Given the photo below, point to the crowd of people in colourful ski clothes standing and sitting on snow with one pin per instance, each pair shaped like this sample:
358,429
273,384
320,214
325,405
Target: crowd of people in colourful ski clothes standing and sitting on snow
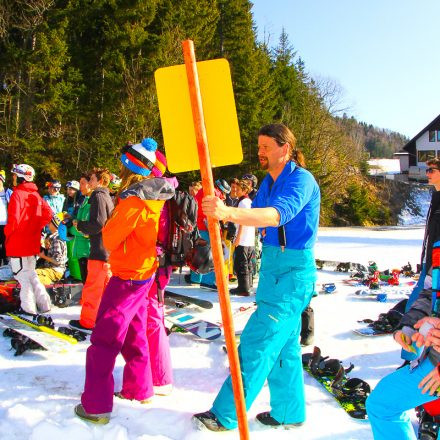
107,229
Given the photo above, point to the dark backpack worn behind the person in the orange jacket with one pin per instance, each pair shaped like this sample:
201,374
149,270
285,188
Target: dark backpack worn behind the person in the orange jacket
183,232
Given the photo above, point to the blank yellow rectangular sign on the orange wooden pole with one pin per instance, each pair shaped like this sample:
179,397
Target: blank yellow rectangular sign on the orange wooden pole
219,112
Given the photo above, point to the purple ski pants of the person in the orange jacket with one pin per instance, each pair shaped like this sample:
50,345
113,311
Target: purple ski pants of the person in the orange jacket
121,327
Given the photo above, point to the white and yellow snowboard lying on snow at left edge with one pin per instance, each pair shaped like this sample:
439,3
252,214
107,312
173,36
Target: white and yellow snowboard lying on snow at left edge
47,341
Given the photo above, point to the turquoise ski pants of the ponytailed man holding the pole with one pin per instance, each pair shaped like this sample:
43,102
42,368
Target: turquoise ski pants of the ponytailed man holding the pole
269,346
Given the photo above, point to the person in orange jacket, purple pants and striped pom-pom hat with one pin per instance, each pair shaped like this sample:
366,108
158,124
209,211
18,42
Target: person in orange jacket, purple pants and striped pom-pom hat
130,235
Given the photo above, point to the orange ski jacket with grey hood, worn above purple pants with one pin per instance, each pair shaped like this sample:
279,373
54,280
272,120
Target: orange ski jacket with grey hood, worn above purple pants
131,232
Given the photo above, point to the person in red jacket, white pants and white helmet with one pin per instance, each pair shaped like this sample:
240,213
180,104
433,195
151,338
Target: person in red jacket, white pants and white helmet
28,214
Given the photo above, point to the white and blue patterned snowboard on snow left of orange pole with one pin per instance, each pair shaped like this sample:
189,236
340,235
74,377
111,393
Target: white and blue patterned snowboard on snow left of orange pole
198,327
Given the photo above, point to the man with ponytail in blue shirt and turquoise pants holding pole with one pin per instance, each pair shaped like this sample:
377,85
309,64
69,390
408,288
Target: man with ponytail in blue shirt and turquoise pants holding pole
286,209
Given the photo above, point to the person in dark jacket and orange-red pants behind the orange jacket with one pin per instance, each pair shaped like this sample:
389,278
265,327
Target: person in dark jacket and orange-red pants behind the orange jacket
98,270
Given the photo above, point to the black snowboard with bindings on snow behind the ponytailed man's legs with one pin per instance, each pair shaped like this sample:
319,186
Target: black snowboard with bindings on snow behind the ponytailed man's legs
350,393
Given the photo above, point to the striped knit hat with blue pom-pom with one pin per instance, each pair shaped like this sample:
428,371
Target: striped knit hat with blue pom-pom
144,158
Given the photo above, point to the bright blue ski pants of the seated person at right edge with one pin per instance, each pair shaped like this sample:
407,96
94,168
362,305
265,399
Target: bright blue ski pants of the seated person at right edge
394,395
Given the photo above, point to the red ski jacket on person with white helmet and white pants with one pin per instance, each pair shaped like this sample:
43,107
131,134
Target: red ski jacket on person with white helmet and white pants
28,213
